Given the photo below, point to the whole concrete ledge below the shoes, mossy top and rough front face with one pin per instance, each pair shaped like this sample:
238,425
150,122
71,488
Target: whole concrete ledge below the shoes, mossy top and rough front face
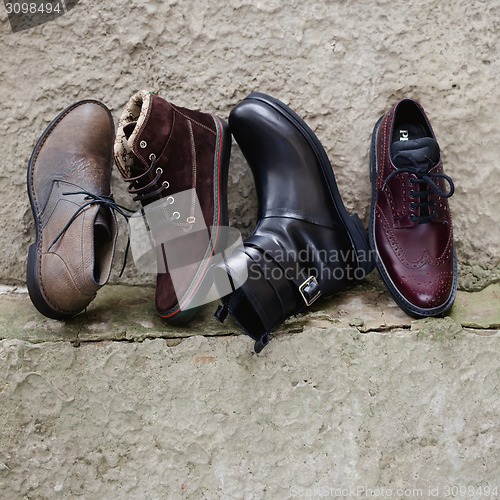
354,394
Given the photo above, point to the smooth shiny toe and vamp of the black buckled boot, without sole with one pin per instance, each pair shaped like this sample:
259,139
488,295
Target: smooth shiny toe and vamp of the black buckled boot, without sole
280,158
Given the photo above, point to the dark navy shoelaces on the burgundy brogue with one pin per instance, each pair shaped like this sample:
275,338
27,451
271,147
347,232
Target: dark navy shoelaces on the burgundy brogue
426,180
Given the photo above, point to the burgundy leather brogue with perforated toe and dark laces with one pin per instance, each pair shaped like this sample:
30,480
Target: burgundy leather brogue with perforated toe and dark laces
410,220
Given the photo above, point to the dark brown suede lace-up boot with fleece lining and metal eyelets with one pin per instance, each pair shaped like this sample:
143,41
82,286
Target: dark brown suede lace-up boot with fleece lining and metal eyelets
163,150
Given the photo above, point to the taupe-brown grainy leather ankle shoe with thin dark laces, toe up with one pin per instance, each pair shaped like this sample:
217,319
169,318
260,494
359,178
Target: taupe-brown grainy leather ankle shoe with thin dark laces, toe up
69,190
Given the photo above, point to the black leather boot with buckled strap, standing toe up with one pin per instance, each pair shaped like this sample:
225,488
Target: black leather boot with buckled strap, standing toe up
305,245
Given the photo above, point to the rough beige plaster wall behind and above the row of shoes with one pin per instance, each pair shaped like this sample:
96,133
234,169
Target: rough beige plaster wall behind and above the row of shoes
339,64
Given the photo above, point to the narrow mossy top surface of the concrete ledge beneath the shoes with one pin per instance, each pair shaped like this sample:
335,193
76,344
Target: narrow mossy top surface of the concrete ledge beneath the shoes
124,313
